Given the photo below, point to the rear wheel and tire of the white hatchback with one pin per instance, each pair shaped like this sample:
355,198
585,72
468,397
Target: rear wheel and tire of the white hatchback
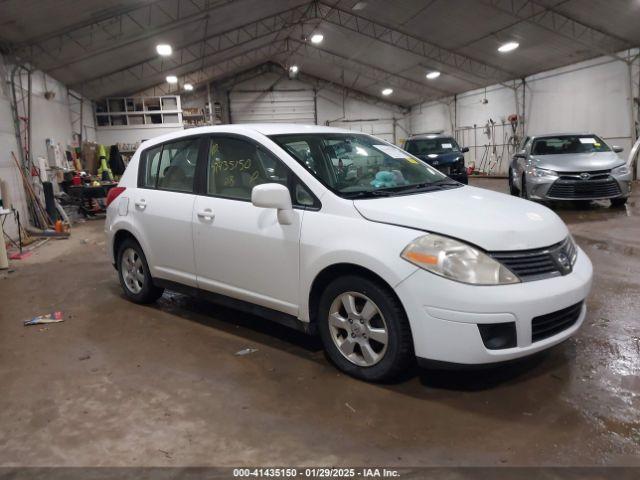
134,275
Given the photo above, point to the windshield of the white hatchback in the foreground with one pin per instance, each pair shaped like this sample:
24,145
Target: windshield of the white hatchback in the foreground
355,165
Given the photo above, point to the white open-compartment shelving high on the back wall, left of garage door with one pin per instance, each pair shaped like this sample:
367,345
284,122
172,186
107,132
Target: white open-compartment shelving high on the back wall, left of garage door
139,111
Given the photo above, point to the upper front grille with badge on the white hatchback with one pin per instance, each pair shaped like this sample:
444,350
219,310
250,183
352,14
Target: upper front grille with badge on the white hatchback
540,263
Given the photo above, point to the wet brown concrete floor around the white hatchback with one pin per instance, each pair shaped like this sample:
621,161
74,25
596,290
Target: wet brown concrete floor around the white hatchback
122,384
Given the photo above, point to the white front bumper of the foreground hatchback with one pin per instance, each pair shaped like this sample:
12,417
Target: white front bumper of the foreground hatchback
444,315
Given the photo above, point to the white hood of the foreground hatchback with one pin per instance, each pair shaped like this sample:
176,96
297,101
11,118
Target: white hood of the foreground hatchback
490,220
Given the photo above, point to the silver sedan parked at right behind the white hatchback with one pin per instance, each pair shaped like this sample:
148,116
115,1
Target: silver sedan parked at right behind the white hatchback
569,167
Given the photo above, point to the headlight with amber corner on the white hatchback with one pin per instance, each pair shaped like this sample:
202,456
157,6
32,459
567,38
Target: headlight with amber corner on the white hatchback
456,260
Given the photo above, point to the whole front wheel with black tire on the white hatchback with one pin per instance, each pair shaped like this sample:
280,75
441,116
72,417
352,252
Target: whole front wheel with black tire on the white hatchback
364,329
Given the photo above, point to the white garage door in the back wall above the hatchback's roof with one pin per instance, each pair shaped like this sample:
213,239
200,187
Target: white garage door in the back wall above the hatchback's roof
283,106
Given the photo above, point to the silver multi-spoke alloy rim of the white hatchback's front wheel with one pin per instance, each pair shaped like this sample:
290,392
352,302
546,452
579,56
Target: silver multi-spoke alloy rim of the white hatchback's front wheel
358,329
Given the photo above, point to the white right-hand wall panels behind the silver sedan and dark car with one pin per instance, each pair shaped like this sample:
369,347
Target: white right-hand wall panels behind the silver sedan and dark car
591,96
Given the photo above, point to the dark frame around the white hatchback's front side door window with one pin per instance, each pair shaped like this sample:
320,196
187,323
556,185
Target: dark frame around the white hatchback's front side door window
203,165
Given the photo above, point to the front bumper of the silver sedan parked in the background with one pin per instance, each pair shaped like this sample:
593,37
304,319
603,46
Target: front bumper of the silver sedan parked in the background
573,188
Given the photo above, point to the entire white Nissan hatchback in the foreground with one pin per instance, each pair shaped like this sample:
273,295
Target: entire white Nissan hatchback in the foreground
338,232
